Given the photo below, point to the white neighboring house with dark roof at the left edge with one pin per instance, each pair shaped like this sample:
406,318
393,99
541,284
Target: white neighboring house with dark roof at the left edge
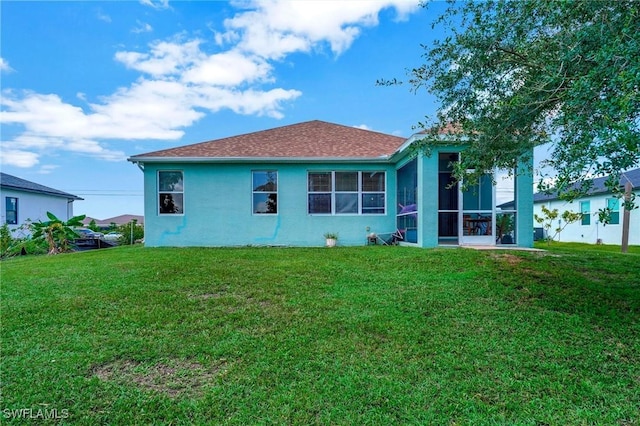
23,200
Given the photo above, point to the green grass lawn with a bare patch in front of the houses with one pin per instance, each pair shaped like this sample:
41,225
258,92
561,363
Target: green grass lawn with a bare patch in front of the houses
364,335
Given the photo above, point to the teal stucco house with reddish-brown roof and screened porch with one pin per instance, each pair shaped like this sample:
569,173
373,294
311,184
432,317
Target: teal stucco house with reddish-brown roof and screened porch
290,185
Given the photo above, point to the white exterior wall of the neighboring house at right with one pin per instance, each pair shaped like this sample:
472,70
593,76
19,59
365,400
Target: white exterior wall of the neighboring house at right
576,232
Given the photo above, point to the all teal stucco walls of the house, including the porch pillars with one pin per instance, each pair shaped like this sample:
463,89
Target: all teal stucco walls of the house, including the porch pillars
218,206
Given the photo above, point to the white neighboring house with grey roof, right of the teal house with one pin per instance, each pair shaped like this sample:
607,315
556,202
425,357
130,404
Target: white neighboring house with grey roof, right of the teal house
589,229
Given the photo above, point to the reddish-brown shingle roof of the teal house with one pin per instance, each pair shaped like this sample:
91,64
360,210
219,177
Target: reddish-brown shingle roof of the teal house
311,140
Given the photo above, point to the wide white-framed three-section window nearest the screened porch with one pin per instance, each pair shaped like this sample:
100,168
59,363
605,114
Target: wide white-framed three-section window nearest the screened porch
346,192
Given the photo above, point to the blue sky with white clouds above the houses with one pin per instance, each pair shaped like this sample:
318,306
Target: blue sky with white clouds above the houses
87,84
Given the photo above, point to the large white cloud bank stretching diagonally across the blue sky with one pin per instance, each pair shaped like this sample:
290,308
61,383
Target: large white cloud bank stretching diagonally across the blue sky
181,80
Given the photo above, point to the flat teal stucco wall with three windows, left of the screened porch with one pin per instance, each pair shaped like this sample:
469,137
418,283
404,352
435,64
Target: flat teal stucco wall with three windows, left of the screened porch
218,208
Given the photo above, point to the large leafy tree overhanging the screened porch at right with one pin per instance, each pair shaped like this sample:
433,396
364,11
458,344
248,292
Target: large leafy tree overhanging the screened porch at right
516,74
